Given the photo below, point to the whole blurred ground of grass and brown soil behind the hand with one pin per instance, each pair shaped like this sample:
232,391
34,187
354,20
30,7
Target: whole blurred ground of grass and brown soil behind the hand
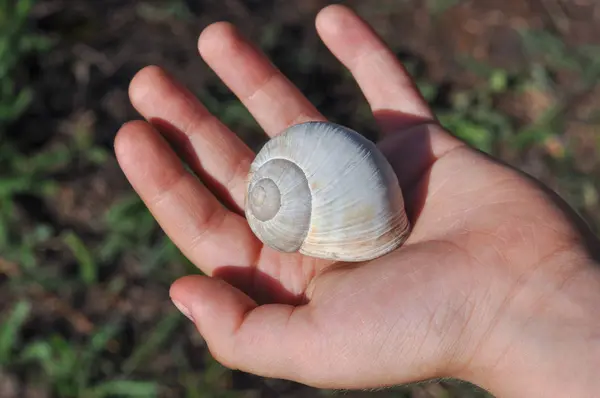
85,269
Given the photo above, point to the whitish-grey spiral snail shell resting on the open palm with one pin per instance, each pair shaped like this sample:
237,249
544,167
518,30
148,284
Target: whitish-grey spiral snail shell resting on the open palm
325,191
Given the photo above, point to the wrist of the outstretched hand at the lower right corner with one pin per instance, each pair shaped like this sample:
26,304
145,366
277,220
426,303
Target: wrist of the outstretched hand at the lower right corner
545,339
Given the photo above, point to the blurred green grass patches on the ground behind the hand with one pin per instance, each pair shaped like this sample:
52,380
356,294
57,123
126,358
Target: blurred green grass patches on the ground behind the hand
51,336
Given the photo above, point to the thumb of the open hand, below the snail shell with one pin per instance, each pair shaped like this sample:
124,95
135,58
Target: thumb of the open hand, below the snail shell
272,340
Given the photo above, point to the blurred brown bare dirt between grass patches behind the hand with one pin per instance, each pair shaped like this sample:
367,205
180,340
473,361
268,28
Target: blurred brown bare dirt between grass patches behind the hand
81,85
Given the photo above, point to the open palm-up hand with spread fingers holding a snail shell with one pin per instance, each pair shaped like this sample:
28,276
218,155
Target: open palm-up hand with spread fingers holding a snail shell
495,285
